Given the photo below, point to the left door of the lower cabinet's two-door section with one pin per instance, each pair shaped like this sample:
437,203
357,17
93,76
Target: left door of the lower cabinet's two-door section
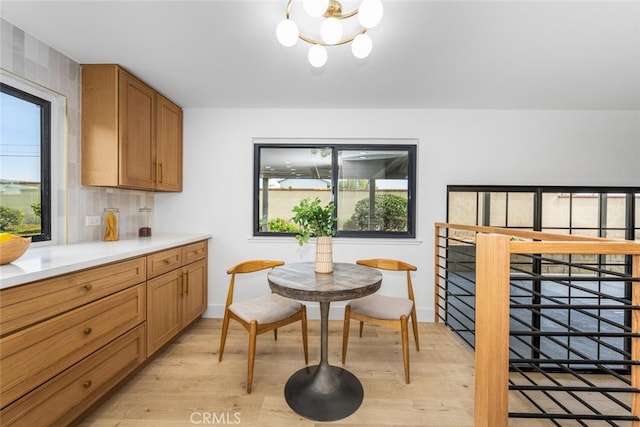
163,309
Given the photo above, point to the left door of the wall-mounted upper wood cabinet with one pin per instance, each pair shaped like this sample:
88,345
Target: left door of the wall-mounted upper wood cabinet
137,133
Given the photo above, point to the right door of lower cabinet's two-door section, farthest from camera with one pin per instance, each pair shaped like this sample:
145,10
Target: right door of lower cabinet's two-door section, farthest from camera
194,291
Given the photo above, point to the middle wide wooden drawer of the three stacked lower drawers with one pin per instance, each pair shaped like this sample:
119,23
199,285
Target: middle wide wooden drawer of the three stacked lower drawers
32,356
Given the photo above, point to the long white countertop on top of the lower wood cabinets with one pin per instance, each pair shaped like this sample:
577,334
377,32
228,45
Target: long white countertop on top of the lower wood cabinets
47,261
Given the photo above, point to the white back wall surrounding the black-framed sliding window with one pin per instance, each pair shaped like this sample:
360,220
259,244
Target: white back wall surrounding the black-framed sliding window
455,147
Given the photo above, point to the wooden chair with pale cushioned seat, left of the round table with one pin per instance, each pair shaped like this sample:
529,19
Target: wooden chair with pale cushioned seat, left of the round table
261,314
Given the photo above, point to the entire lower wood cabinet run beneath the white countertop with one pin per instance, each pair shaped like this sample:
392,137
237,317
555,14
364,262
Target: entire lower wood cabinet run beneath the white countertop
99,326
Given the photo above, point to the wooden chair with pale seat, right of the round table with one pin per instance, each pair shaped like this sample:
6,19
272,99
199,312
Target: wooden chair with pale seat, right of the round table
391,312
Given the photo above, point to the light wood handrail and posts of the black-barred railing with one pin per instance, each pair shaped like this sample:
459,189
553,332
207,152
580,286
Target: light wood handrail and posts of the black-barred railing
494,247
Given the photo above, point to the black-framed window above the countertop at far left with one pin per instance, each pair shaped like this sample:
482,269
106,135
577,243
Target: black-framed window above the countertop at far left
25,123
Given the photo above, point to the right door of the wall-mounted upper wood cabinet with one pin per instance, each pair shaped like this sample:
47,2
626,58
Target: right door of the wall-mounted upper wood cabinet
169,145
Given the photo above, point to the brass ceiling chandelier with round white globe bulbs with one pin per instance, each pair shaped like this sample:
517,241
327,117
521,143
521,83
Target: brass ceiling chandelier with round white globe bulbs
331,29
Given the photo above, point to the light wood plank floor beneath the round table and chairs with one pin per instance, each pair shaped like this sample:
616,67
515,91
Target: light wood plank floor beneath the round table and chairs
186,385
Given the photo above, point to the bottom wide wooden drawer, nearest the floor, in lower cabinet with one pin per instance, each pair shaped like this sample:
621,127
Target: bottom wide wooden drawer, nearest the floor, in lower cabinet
66,396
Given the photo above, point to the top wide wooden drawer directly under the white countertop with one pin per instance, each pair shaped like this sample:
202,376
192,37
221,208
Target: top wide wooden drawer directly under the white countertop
31,303
